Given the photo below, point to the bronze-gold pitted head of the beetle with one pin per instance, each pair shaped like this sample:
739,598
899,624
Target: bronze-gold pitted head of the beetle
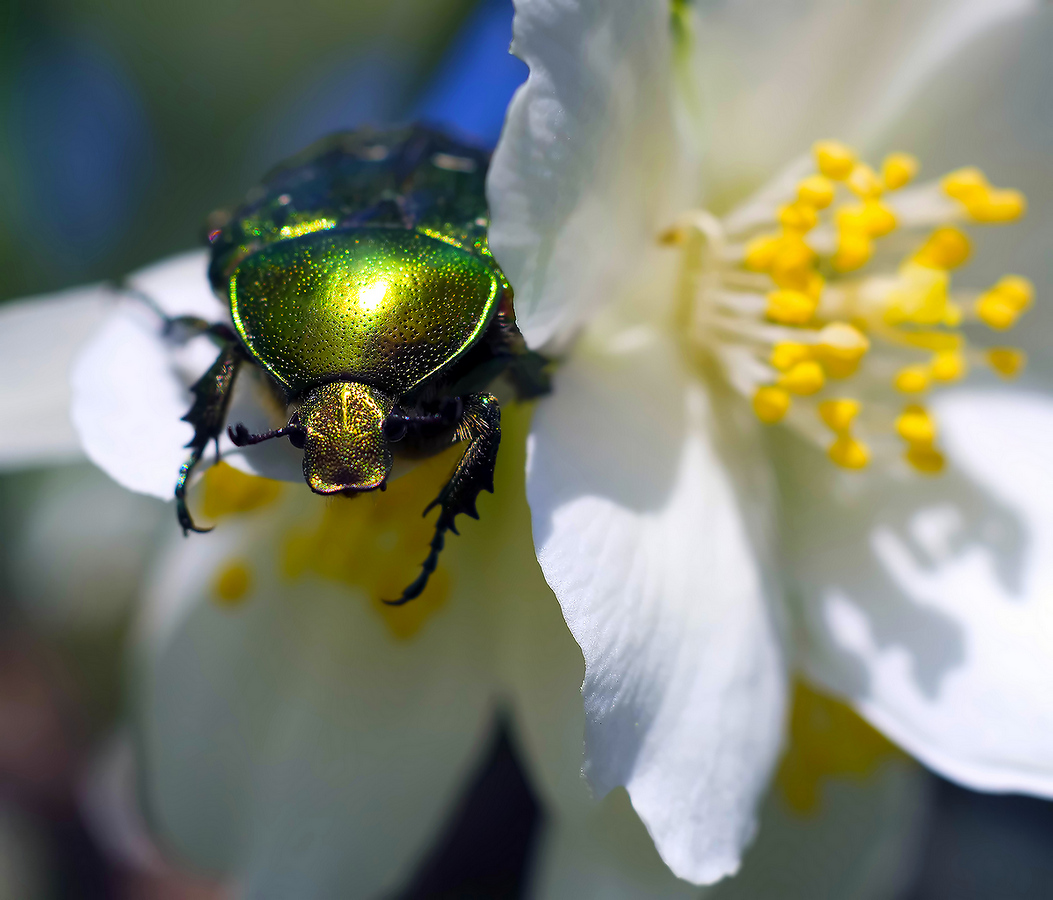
345,448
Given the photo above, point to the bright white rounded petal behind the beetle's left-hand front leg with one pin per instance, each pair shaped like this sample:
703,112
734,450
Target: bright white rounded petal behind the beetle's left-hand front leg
131,388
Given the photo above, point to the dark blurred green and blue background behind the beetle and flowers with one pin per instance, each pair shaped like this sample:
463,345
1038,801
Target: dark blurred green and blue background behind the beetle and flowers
123,125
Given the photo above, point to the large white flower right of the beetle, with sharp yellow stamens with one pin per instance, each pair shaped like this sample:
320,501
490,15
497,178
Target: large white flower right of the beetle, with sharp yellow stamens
658,209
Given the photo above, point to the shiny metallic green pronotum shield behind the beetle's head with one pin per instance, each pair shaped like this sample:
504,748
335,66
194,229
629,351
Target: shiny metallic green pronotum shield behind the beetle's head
384,306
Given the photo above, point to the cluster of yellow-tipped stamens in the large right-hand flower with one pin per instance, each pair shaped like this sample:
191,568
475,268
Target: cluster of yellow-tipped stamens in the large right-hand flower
827,301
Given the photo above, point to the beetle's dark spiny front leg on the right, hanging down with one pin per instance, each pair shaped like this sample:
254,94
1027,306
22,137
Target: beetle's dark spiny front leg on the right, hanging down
481,427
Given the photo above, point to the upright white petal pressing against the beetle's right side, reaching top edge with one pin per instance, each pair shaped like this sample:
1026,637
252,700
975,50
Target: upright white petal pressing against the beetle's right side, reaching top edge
592,164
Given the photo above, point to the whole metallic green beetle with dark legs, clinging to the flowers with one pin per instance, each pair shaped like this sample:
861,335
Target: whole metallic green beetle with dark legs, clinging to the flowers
360,281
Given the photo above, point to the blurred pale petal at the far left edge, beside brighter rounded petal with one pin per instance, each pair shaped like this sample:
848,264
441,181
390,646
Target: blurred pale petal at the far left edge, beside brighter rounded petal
39,338
